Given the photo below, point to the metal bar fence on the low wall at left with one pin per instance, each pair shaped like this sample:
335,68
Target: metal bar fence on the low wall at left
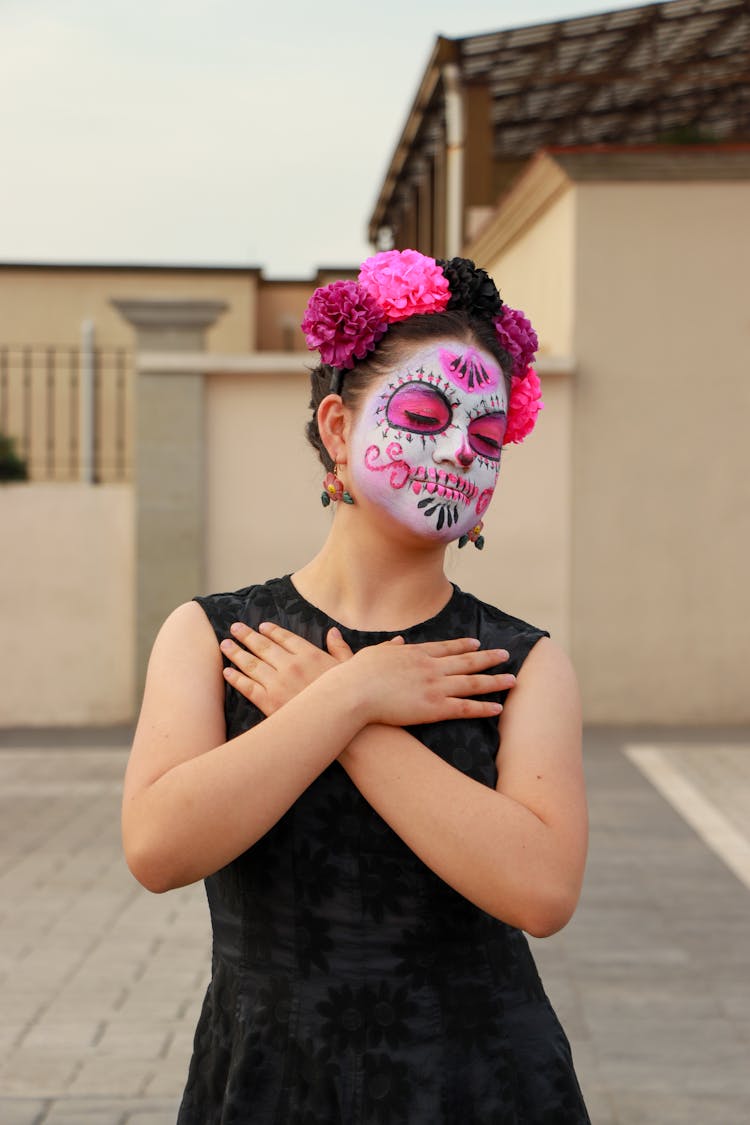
69,410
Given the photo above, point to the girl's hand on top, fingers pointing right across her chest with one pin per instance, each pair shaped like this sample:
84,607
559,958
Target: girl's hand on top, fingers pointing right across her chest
410,685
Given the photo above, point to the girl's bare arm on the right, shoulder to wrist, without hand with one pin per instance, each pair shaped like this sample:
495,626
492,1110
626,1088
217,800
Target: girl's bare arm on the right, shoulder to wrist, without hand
518,852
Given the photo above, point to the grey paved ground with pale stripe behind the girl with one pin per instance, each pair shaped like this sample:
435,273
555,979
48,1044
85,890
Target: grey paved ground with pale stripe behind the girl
102,983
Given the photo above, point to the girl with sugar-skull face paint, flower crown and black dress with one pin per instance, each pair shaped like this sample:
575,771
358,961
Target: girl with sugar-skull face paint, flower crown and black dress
378,776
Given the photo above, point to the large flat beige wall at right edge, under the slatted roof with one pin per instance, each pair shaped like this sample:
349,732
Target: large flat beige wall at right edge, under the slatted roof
662,482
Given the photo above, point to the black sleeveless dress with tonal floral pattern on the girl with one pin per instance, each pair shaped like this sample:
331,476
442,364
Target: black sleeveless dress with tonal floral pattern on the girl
350,985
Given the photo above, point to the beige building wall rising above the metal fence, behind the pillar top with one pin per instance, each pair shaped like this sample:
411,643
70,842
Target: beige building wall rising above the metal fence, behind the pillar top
41,307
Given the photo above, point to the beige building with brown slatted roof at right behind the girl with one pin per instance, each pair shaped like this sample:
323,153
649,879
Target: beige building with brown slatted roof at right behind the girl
556,156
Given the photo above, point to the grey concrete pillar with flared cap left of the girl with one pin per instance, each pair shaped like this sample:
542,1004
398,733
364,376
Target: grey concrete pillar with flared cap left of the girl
169,464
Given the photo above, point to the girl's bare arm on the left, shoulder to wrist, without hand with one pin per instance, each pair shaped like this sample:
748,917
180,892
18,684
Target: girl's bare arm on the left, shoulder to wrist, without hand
194,802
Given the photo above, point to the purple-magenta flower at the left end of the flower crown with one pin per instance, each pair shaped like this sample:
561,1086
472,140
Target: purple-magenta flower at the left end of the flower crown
344,323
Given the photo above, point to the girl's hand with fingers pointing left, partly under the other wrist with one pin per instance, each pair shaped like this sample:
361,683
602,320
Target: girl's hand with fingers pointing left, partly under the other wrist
274,664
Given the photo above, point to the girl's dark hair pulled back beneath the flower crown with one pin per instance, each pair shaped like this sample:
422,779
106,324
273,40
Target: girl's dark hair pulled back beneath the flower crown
403,337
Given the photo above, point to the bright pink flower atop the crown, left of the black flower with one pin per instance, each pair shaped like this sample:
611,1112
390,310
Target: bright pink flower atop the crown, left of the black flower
405,283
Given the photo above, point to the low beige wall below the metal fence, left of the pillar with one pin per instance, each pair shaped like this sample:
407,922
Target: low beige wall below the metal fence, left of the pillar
66,605
